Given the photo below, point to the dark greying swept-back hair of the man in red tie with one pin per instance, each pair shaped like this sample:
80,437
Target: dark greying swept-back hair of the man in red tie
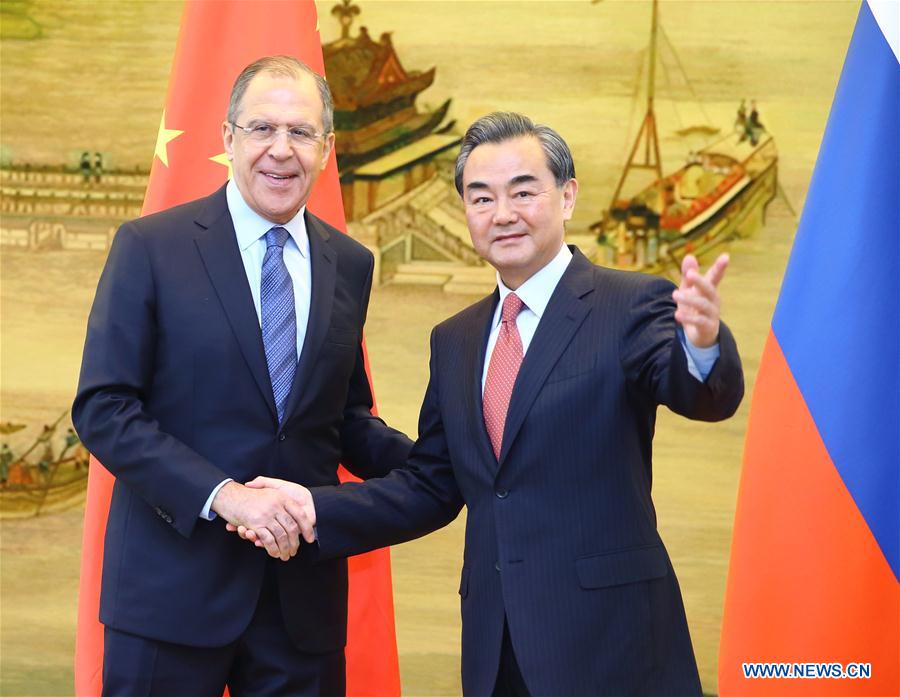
506,125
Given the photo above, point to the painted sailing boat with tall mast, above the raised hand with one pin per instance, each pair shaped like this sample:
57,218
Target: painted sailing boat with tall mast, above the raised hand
720,194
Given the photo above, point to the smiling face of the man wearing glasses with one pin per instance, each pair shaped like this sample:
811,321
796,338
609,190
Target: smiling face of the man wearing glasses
276,179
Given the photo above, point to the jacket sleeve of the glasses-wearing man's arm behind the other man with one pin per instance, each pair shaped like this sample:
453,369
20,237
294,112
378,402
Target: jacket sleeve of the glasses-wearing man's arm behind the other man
370,447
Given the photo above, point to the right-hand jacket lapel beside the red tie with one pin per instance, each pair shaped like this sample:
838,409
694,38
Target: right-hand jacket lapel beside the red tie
563,315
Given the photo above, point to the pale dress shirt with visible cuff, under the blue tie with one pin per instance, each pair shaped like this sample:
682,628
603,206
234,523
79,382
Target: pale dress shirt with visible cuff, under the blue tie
250,229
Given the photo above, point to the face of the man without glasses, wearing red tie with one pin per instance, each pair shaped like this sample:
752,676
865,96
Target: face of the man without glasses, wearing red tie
514,209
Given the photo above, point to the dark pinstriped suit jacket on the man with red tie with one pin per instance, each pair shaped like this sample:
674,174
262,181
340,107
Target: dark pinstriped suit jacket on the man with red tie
561,534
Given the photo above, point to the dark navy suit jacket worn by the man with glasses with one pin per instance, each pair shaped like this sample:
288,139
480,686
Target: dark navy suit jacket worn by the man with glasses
175,395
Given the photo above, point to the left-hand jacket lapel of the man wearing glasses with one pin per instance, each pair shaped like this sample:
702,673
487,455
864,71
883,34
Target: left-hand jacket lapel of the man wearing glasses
218,248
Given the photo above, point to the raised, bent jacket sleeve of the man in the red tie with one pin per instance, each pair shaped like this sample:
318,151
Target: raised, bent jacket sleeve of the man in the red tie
654,362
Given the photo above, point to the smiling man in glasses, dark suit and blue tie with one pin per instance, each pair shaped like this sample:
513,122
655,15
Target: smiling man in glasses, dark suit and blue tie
224,343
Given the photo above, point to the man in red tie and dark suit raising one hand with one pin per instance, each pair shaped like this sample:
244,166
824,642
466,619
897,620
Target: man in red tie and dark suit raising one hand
539,418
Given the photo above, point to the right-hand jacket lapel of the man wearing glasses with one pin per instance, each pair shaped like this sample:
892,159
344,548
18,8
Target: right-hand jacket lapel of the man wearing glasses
323,267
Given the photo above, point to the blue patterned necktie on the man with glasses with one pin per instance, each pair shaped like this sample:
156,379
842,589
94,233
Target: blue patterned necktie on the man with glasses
279,321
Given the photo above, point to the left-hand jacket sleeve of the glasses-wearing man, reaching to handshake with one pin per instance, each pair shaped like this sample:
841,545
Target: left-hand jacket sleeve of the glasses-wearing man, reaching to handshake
117,372
